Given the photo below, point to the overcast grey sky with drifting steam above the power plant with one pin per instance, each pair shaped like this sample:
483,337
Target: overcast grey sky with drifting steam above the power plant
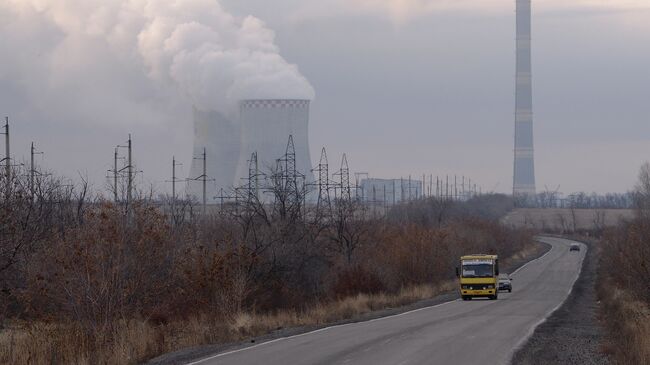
403,87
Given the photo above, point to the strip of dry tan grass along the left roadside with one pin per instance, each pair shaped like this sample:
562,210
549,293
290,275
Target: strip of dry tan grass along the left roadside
135,341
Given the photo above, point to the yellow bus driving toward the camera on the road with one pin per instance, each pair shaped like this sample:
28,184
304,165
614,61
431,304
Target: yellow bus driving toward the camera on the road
479,276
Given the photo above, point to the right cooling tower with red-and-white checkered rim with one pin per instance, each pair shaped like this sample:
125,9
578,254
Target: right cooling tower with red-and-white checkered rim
265,128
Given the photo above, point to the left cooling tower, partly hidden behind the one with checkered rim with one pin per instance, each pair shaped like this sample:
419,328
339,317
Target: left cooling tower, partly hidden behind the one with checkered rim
220,137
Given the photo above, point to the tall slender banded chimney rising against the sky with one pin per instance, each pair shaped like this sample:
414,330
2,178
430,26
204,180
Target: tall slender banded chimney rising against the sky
524,164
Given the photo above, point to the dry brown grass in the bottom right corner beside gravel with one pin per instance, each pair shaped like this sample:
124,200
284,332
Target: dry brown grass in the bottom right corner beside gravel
628,321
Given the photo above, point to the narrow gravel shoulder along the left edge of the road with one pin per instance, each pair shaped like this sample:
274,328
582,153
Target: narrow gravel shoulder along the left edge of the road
192,354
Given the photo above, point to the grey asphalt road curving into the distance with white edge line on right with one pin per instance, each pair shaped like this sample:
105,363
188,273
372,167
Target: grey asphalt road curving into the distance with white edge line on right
458,332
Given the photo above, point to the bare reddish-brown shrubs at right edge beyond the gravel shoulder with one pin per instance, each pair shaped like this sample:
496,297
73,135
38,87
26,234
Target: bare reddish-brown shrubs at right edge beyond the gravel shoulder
623,281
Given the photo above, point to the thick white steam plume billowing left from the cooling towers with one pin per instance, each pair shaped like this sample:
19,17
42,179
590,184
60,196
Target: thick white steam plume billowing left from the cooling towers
212,57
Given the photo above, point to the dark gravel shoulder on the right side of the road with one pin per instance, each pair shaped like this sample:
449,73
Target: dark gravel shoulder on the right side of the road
571,335
